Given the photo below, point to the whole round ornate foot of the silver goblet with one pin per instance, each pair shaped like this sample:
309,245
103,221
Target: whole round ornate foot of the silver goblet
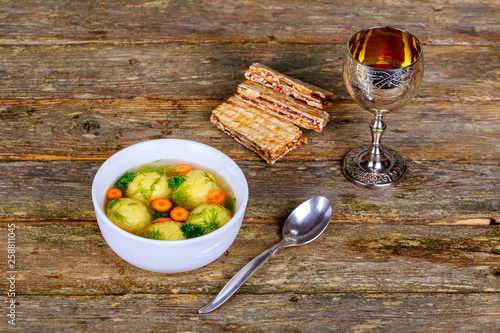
381,171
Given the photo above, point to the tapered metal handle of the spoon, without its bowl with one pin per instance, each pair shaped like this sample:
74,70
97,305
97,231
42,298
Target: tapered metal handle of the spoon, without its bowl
237,281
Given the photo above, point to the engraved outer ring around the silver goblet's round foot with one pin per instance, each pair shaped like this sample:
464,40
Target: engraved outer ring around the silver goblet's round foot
358,175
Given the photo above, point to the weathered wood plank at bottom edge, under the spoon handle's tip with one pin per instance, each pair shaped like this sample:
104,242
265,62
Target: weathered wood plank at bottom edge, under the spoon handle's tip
301,312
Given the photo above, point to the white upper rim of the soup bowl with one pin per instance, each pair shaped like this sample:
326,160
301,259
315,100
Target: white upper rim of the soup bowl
238,214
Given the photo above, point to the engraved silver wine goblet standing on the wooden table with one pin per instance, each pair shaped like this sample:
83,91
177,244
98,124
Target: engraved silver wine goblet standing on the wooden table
383,69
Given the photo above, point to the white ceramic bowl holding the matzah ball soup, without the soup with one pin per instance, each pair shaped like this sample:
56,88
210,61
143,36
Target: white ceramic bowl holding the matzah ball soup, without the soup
169,256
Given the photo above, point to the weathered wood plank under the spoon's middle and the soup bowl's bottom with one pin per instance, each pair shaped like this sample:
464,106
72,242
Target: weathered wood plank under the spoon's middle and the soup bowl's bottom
348,257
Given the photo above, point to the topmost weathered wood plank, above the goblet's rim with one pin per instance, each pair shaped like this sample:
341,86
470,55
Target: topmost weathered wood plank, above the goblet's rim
56,21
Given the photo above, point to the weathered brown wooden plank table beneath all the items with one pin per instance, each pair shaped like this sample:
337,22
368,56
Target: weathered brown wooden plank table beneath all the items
83,79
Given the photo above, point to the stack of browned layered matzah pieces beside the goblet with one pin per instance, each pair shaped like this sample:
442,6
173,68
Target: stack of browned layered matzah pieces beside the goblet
261,115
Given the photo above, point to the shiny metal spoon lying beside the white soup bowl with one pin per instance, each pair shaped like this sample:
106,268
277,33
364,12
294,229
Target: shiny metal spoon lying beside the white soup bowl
303,226
